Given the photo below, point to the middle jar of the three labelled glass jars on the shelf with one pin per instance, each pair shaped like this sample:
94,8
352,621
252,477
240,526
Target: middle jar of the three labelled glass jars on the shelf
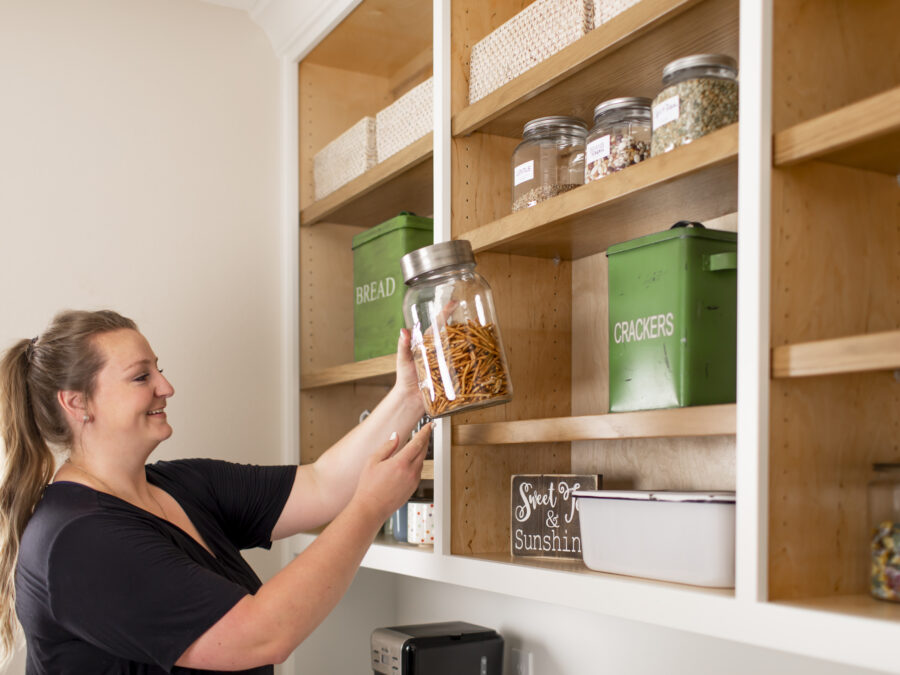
620,137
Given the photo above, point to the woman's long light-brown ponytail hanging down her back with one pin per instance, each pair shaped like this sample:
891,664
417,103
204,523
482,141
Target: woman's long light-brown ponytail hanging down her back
26,468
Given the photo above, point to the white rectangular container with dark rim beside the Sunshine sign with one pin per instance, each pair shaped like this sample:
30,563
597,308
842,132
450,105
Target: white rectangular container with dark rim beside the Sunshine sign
686,537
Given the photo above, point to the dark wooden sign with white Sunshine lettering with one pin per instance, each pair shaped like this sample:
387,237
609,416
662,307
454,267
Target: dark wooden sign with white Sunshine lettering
543,518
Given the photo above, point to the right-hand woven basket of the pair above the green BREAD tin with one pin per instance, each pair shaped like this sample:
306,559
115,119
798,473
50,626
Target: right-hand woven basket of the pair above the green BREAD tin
405,120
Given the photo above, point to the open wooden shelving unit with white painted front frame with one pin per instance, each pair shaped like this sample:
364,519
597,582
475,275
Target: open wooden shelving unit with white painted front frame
830,267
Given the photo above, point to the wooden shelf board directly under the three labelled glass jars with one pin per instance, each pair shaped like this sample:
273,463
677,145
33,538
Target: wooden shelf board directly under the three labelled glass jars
694,182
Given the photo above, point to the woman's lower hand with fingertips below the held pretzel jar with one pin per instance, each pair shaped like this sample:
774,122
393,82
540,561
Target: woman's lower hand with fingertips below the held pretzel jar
391,476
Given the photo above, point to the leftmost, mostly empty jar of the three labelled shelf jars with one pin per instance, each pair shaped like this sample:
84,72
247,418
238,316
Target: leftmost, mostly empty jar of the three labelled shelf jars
548,161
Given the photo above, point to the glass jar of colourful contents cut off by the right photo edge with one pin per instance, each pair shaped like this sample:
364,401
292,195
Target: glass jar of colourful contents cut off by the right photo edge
884,518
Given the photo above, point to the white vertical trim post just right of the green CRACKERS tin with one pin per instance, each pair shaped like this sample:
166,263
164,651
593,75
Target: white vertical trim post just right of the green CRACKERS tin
754,215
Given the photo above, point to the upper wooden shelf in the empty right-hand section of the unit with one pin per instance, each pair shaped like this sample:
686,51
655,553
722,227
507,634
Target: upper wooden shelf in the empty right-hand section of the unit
864,135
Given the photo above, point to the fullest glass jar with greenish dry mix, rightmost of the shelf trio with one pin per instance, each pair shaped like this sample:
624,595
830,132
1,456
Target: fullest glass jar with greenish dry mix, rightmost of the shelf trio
700,95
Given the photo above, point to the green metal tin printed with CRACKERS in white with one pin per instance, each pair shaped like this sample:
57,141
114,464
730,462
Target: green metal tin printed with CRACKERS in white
673,319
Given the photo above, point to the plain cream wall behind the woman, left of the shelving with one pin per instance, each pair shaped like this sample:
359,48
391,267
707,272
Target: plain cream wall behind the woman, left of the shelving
139,170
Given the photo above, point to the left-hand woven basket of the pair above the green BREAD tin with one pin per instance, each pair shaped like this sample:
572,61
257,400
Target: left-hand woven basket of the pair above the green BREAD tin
349,155
